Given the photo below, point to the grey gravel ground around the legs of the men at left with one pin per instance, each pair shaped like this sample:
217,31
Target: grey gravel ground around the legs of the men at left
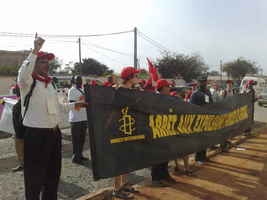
75,181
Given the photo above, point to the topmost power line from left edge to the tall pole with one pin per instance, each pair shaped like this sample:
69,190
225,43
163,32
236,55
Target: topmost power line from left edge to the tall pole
8,34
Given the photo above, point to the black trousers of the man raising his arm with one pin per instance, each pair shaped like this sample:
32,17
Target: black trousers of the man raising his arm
42,163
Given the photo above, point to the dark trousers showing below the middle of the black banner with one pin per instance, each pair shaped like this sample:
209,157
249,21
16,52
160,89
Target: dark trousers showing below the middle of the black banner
160,171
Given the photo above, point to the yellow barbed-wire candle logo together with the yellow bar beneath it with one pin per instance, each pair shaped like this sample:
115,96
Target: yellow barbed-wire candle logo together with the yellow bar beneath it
127,128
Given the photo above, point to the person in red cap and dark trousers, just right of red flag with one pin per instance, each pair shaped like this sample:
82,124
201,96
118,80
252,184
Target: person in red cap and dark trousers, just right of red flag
159,173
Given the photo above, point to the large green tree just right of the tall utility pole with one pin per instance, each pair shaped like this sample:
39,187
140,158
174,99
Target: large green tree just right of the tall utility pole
188,66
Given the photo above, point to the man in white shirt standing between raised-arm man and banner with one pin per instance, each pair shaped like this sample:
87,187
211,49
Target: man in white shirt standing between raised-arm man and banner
78,121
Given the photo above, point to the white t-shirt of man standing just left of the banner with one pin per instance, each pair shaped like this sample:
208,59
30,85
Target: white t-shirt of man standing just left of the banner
76,115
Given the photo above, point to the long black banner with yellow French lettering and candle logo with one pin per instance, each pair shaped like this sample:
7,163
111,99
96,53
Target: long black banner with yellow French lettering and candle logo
131,130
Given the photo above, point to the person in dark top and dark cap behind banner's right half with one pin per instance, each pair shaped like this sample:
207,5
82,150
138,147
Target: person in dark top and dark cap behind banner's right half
201,97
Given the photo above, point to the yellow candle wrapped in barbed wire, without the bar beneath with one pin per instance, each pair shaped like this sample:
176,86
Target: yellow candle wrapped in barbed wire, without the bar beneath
127,122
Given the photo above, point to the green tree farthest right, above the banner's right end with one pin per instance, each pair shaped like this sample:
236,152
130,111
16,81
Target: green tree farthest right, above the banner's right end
240,67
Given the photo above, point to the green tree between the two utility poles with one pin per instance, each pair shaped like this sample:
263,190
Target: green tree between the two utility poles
90,66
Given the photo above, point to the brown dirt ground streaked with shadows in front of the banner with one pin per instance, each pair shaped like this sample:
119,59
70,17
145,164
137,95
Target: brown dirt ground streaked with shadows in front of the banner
236,175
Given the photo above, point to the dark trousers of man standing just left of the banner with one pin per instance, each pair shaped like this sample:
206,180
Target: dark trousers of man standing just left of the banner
78,133
